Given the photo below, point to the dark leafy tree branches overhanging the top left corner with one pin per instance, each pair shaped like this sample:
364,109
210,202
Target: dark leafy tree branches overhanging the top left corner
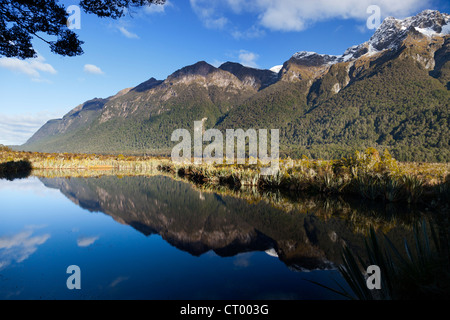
21,20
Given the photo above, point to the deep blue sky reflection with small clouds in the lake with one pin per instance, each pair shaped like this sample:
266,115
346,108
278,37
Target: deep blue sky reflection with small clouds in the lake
42,233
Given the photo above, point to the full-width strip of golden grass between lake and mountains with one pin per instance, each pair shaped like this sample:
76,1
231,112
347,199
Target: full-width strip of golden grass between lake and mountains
367,174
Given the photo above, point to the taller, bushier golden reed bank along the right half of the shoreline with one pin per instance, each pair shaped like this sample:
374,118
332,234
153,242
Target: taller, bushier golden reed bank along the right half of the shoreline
366,174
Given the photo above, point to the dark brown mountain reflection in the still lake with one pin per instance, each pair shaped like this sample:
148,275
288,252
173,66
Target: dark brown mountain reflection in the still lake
198,222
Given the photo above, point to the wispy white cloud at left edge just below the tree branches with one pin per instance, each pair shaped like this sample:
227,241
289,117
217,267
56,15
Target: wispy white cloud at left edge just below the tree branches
31,67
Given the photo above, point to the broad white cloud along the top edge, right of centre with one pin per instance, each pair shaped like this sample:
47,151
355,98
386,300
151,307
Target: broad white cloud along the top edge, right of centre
297,15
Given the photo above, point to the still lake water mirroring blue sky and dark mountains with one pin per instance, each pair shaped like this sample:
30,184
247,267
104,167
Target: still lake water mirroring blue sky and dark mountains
160,238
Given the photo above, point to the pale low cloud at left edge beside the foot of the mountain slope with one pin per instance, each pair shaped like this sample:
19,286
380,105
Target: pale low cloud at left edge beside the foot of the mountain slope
17,129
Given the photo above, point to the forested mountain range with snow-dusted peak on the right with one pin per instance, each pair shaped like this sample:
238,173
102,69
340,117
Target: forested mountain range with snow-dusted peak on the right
391,92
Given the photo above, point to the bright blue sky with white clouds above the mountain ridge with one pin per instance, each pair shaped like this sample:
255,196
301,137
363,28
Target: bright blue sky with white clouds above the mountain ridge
155,41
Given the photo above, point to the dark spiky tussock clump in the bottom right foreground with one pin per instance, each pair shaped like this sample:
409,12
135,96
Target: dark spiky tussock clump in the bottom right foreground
419,271
